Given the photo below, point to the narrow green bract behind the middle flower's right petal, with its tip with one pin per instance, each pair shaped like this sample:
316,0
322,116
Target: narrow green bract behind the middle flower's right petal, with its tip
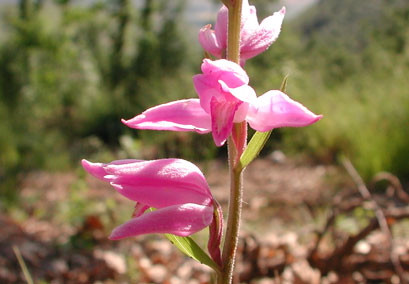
258,140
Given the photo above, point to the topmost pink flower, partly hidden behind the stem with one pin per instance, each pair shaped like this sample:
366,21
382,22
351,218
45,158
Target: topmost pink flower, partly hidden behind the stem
254,37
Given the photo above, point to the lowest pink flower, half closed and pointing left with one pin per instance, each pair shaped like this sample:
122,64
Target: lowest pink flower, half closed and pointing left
176,188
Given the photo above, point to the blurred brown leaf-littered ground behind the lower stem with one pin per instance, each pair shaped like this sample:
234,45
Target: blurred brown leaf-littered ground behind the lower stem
61,230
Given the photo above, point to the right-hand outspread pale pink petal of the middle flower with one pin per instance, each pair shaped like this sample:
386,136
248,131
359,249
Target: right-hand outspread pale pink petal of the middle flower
275,109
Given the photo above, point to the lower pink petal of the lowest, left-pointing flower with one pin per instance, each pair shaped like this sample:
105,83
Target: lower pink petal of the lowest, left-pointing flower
181,220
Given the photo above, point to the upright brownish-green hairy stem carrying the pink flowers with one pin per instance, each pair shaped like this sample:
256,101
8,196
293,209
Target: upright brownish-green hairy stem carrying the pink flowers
236,193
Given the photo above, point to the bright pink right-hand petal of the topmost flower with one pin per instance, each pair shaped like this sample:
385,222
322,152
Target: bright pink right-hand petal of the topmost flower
256,41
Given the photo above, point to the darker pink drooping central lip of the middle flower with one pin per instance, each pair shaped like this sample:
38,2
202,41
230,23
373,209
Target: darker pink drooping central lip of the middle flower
222,119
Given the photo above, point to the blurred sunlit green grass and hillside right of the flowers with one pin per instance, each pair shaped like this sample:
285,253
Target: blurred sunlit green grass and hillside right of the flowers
350,62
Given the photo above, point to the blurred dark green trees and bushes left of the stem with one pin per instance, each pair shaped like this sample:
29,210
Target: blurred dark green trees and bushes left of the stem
69,73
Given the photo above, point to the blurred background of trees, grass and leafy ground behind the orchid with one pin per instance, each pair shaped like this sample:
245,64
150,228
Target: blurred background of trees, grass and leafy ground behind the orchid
70,70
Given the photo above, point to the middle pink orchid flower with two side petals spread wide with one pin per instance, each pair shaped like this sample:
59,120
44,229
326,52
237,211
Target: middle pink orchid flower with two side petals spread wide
225,99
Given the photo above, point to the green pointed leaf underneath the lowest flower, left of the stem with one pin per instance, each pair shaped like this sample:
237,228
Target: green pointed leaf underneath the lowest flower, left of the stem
189,247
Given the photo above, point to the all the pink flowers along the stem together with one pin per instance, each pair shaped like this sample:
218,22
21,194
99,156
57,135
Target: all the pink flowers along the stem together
175,188
